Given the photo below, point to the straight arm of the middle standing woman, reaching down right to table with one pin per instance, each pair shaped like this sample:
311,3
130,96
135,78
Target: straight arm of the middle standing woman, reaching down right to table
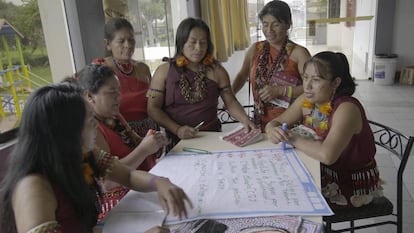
230,101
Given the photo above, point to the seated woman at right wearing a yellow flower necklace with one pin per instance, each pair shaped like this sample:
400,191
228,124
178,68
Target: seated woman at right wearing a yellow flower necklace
335,131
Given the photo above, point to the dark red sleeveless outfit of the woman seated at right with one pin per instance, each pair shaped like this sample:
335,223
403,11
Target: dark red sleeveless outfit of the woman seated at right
355,172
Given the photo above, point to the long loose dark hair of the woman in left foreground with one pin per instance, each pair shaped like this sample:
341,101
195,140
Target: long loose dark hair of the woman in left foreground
50,144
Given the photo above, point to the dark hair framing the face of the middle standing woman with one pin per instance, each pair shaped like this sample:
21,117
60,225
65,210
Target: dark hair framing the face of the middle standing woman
183,32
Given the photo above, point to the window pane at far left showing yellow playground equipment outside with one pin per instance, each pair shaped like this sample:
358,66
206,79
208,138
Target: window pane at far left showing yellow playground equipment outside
24,64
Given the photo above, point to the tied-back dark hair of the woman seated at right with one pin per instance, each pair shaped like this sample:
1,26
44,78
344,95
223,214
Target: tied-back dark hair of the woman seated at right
331,65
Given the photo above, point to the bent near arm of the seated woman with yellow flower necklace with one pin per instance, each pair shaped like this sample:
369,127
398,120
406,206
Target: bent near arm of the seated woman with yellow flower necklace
346,122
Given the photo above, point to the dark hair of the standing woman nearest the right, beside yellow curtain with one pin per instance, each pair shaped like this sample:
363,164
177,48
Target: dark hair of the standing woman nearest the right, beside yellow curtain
278,9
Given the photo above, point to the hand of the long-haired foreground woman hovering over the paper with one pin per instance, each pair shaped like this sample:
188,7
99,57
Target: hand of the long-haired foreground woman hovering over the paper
172,197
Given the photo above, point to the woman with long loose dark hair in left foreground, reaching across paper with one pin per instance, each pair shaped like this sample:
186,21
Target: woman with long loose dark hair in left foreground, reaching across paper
51,181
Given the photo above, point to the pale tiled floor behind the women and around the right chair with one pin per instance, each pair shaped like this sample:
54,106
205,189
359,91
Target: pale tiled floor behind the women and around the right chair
390,105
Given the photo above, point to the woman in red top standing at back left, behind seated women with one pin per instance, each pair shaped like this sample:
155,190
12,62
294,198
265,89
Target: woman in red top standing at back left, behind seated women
134,78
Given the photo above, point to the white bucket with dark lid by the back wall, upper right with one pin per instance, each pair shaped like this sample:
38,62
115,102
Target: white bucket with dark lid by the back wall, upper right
384,69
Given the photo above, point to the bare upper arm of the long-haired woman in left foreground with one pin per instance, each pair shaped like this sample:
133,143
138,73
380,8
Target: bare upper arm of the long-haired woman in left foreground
34,203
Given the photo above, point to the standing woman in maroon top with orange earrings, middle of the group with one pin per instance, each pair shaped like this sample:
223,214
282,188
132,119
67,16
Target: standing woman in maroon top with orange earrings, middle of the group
185,90
